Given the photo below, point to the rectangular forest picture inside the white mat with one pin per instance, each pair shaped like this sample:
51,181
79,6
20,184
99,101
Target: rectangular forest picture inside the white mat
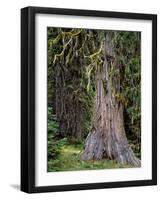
94,99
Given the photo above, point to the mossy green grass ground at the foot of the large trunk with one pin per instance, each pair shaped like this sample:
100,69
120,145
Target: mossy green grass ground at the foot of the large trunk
69,160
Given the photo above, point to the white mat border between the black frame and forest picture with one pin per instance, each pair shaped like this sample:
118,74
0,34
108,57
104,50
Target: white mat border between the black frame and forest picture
58,178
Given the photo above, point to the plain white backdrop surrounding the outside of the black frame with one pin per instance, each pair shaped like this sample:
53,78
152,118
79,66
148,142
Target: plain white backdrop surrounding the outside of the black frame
10,99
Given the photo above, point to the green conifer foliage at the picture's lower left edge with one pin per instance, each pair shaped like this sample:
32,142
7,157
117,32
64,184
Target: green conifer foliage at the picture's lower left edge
54,143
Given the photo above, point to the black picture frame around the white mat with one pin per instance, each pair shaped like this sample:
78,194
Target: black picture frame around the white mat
28,98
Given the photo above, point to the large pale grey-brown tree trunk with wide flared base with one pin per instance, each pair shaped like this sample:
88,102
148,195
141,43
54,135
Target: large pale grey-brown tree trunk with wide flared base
107,138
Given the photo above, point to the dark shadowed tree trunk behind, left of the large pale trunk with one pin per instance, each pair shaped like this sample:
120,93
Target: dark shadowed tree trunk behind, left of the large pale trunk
67,107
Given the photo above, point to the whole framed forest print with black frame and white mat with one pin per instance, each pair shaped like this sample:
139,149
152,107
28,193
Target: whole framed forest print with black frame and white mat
88,99
